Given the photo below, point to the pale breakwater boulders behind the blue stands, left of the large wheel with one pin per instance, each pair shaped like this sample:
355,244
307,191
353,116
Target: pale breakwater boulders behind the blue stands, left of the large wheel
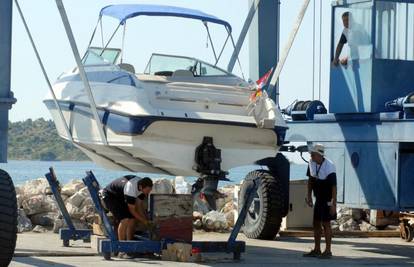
38,210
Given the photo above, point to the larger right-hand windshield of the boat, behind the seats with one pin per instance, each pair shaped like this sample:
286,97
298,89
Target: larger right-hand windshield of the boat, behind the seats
166,65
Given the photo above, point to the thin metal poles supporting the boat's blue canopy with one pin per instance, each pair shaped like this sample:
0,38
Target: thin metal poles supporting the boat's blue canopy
217,53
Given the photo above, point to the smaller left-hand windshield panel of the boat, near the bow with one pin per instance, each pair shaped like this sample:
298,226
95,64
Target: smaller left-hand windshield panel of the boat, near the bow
93,56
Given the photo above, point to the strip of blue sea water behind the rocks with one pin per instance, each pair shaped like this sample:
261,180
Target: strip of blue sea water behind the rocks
22,171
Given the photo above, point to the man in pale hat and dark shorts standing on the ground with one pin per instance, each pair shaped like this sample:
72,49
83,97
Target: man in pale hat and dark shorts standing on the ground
322,182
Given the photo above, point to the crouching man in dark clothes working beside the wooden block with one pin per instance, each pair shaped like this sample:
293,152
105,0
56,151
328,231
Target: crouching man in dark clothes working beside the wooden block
126,198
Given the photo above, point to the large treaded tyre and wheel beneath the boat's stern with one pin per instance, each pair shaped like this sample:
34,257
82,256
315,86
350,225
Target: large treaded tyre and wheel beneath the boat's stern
265,215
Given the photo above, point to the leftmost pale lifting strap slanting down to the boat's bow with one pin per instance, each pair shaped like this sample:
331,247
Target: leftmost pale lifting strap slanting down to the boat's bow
69,134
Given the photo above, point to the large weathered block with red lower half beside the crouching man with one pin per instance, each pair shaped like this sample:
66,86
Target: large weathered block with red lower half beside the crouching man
173,215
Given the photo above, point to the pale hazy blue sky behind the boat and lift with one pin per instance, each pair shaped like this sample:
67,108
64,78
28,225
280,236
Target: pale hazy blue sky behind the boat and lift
166,35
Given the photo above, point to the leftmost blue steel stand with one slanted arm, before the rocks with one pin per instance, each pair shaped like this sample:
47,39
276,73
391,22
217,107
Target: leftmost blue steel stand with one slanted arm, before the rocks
70,233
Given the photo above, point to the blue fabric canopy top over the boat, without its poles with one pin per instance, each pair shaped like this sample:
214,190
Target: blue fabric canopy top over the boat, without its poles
125,12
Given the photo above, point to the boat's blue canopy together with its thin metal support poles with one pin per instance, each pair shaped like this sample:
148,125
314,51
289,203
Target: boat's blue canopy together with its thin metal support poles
125,12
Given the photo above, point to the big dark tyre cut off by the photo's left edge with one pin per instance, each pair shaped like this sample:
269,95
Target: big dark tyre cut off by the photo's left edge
8,218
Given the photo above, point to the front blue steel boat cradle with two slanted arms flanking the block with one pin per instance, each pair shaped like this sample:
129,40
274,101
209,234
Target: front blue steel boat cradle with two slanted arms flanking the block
112,245
